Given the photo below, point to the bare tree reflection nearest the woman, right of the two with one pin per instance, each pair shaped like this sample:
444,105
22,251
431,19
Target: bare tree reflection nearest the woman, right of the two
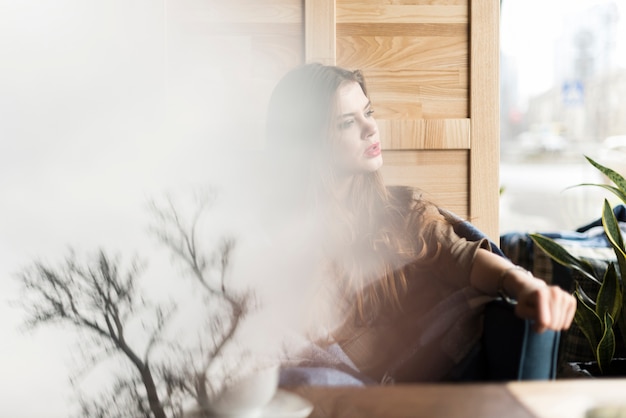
227,307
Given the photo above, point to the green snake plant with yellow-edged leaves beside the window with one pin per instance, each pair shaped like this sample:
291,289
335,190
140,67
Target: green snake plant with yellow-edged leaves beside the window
599,317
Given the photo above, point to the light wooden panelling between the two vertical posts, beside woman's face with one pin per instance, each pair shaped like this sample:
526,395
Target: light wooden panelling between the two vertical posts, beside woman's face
415,56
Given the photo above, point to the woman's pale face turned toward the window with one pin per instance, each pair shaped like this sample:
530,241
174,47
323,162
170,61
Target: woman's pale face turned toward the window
357,145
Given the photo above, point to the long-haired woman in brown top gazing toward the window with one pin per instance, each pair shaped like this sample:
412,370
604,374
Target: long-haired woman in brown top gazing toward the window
411,290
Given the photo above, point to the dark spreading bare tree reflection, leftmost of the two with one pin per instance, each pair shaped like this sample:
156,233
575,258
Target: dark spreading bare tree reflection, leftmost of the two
98,297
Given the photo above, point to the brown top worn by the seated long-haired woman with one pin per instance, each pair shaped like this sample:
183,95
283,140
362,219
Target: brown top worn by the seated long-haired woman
439,321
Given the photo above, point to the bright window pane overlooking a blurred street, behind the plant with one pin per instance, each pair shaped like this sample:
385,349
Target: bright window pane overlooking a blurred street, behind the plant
563,96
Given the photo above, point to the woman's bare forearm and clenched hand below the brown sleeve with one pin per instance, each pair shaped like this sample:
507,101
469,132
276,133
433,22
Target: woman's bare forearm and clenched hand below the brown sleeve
549,306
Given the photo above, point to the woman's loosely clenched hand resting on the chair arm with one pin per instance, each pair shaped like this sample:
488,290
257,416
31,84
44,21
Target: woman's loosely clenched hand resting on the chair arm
549,307
